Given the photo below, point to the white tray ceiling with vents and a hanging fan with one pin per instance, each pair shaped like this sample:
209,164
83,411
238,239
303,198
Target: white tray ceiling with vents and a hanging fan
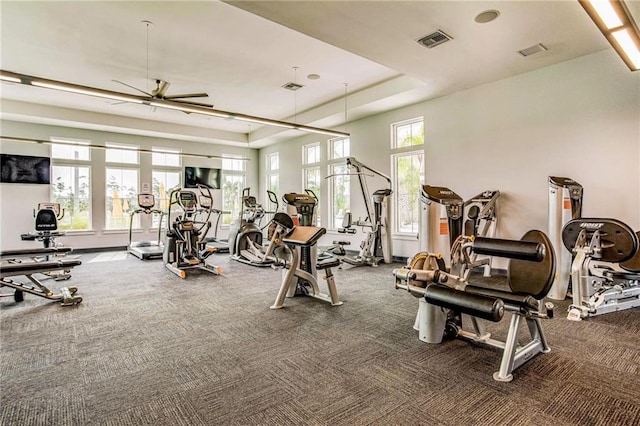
241,53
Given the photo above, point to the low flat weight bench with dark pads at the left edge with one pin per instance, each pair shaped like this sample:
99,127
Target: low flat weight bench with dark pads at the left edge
26,263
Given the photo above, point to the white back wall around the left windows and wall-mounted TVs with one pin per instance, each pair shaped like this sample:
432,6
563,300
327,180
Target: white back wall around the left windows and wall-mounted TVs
17,201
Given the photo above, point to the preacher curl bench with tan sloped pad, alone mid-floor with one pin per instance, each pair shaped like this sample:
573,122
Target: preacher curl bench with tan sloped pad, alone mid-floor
299,240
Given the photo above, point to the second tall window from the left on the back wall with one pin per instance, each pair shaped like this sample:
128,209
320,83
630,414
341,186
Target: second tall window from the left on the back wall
121,187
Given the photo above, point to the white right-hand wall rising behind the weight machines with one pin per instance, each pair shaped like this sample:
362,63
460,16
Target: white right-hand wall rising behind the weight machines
579,119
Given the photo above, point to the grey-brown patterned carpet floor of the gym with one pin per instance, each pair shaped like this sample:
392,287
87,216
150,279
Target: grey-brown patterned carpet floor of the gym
147,348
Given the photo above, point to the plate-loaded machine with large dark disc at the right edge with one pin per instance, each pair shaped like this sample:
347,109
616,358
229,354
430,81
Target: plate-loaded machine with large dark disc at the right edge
605,273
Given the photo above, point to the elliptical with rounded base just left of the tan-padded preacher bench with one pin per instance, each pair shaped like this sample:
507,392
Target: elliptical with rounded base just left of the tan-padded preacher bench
245,233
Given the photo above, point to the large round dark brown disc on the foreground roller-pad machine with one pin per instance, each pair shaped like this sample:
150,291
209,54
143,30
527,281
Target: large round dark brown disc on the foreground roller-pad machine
533,278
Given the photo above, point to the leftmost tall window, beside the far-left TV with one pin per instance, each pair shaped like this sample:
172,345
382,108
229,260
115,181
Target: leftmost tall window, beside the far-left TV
71,183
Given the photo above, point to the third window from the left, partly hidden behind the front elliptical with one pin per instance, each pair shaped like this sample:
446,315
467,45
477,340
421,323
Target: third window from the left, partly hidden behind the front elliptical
165,177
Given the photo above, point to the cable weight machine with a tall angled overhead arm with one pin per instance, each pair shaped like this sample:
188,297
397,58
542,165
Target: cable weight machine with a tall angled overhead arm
377,246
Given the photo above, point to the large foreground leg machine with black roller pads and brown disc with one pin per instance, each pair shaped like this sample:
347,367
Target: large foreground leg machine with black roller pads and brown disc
447,297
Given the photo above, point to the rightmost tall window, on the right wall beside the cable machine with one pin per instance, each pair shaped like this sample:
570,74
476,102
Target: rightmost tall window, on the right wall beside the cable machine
408,171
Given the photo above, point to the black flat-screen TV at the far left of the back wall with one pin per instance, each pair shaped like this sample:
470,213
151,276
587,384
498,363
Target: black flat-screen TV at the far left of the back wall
25,169
